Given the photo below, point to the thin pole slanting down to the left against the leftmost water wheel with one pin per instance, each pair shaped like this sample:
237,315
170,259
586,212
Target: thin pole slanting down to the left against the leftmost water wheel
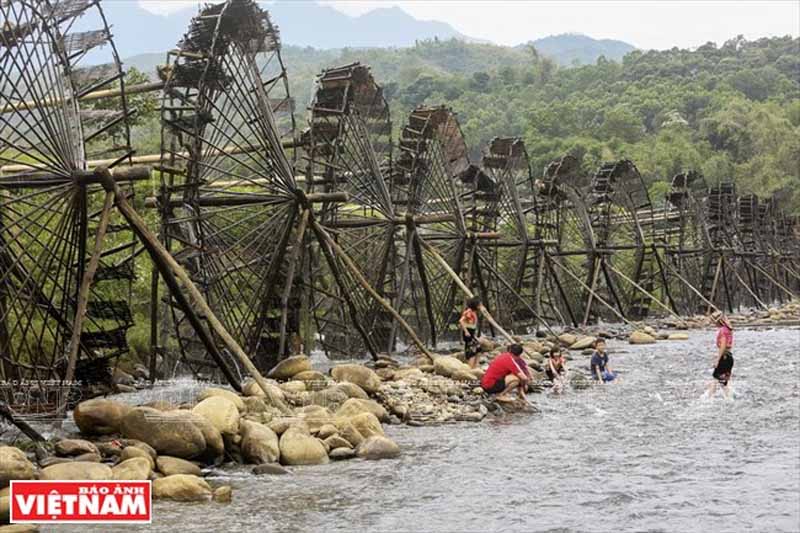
83,298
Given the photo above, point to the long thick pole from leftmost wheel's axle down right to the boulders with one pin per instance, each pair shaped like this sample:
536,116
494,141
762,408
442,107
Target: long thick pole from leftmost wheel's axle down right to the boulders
156,249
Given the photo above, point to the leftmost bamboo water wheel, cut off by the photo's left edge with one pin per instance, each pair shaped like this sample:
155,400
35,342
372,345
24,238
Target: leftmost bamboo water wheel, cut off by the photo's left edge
62,102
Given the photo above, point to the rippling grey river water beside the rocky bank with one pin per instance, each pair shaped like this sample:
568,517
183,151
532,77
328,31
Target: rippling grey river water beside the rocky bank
646,453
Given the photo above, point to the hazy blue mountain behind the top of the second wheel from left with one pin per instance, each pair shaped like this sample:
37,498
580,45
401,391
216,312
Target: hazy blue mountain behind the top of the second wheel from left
138,31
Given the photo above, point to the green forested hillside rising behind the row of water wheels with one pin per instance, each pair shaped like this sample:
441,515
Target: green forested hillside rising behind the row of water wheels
731,110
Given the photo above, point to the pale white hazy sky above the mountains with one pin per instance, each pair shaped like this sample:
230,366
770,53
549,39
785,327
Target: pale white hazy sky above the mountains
643,23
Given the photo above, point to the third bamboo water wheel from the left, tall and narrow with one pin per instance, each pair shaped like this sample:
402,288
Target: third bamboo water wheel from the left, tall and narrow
349,149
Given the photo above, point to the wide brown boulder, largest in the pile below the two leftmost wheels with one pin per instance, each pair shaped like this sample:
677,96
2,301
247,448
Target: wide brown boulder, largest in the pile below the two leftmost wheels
169,433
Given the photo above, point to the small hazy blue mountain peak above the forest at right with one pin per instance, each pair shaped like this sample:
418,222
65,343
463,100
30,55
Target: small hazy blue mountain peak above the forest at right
570,49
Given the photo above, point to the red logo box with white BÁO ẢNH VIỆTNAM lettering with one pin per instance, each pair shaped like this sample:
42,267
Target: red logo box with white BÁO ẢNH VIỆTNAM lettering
81,502
